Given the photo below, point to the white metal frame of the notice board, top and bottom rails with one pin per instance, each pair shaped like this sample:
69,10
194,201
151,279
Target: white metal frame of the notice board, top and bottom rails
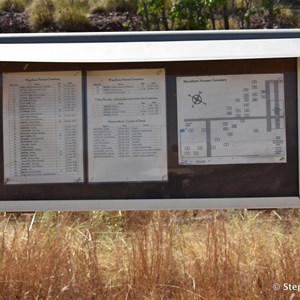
147,47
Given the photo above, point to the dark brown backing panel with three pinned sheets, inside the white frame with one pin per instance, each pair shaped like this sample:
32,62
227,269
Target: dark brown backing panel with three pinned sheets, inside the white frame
125,127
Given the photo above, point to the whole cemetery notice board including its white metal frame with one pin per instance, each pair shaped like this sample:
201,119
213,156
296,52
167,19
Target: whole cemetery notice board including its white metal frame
168,120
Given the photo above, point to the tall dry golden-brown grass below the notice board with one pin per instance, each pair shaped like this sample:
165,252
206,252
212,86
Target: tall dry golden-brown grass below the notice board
149,255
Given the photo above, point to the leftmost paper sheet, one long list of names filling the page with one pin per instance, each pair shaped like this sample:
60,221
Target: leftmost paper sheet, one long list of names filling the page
42,122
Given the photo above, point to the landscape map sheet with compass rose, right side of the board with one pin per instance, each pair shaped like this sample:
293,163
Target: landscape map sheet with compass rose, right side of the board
231,119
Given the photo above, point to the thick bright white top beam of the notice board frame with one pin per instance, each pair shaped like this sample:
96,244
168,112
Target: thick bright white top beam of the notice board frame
147,47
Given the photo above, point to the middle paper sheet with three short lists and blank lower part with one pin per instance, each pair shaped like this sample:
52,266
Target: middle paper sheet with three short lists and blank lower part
127,125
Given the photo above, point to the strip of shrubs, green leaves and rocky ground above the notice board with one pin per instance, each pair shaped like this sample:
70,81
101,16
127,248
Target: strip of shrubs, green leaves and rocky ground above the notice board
126,15
